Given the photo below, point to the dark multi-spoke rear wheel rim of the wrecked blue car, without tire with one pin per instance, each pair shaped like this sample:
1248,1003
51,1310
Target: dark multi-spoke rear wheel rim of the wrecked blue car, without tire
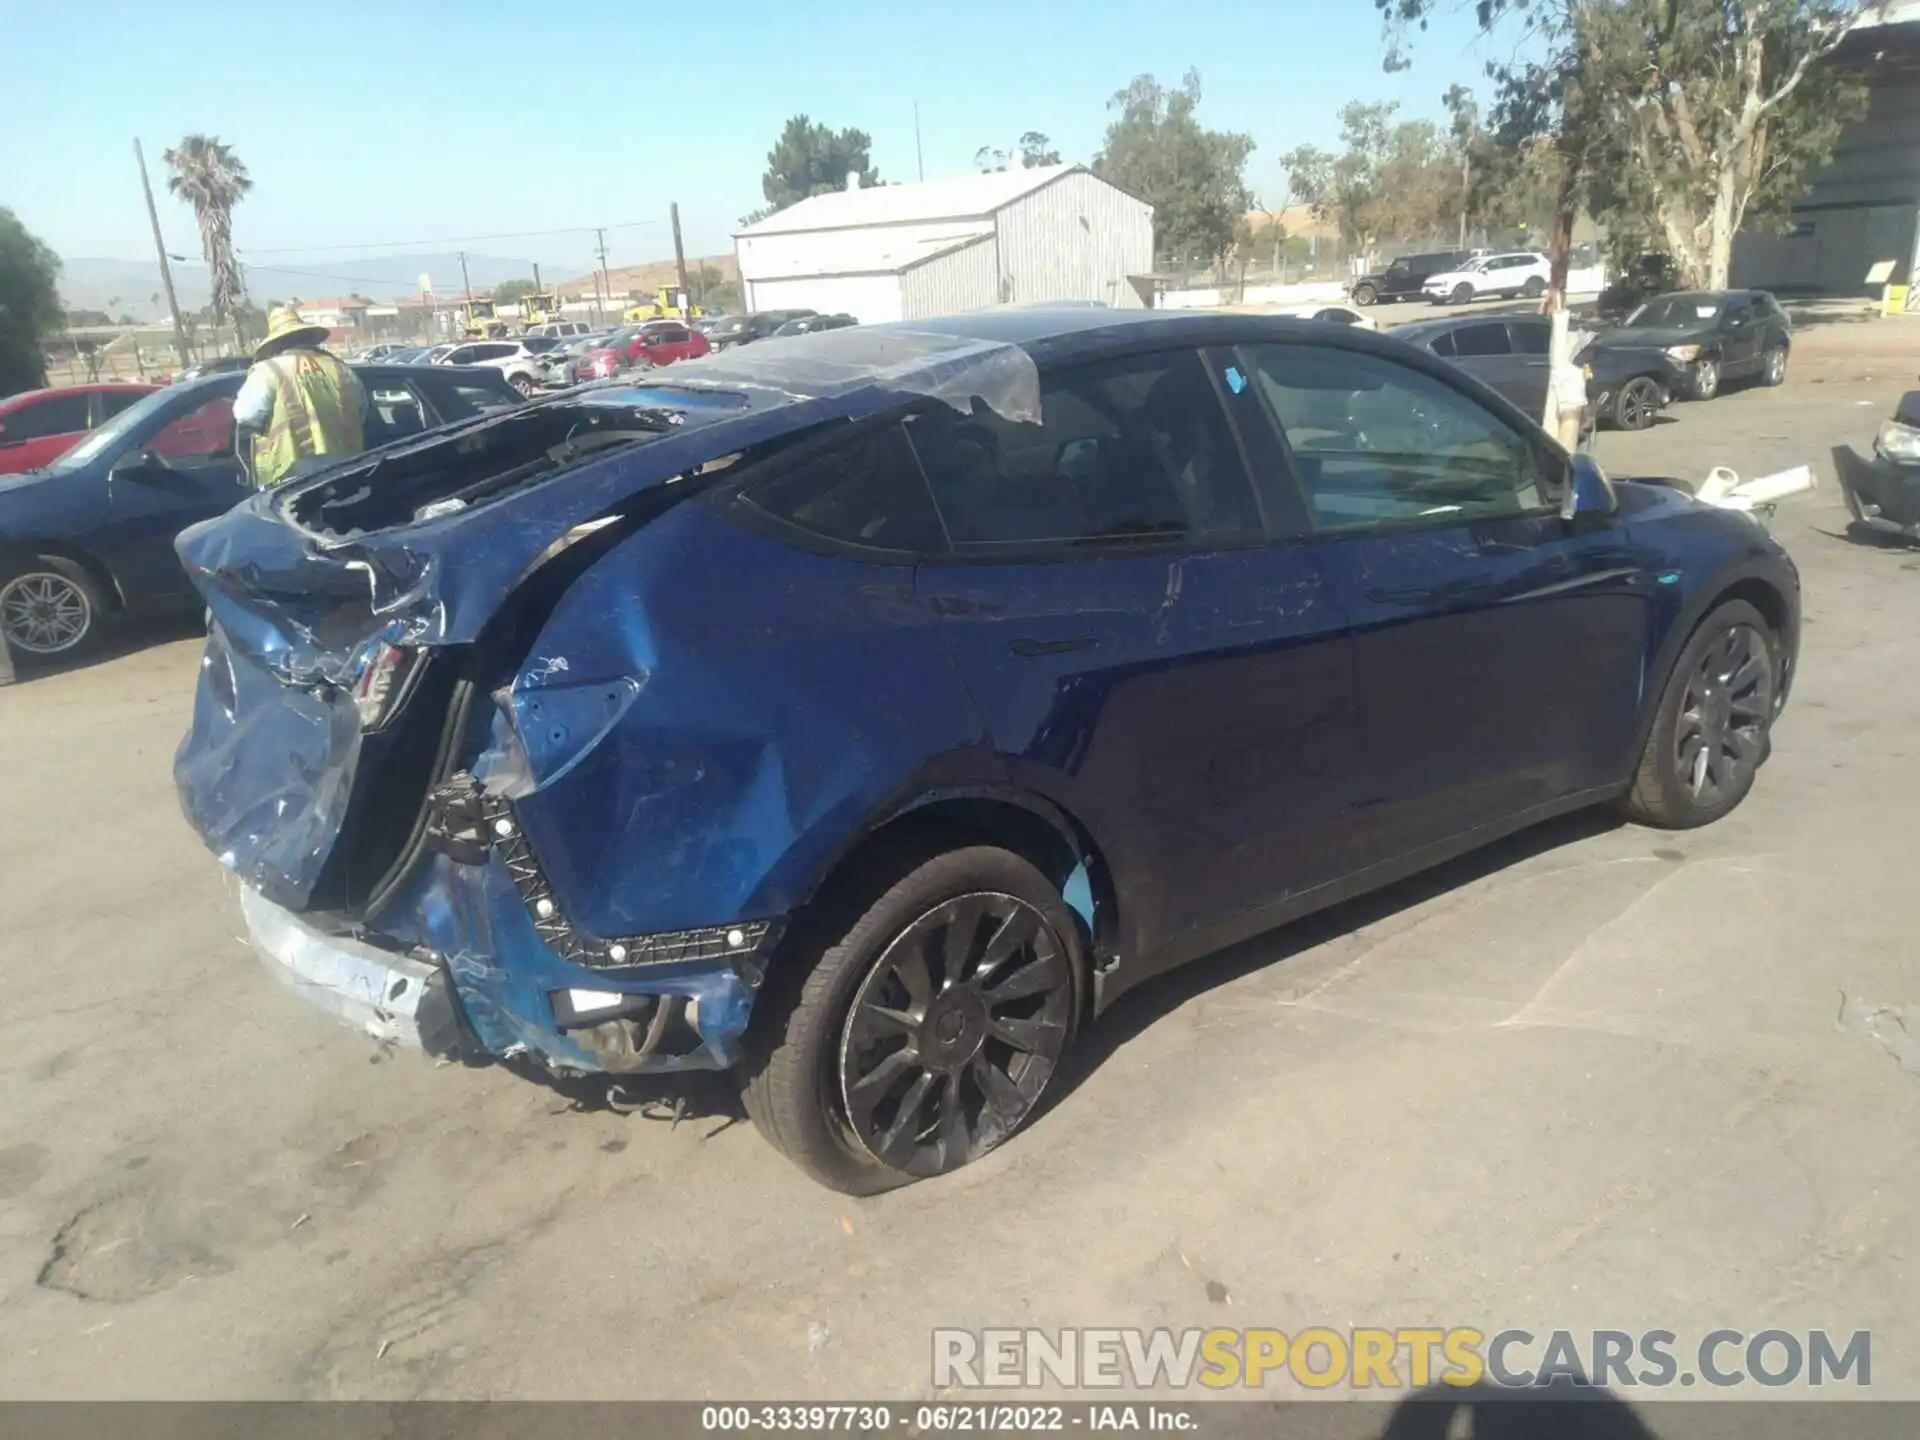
955,1034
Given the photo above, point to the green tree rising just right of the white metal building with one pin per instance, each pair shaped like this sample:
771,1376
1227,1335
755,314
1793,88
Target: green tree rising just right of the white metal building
1193,178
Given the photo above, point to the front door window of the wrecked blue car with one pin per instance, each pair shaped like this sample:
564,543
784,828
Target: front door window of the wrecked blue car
1380,444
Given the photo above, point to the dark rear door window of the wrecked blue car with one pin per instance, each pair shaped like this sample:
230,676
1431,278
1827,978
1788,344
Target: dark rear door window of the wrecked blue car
1132,450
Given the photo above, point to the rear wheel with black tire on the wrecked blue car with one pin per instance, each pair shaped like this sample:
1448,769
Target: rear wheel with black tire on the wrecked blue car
825,1026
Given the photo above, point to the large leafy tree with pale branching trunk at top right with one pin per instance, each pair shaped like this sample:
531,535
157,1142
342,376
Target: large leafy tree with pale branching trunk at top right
1685,116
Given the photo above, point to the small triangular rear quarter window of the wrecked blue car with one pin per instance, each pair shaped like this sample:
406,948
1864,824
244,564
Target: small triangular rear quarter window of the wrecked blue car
865,492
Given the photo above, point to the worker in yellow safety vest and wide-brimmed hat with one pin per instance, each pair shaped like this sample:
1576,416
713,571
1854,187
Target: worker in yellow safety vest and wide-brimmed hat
300,402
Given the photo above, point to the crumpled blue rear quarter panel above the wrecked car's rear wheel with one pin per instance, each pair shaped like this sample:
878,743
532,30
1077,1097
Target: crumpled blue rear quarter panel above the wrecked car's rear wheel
784,698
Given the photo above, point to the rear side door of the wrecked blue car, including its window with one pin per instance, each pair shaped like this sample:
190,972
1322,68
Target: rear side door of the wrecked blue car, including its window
1138,650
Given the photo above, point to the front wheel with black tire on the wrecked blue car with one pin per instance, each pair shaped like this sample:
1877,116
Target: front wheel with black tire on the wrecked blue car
1669,786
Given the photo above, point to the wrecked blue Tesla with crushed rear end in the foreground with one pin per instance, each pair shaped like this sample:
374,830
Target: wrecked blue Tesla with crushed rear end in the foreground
863,713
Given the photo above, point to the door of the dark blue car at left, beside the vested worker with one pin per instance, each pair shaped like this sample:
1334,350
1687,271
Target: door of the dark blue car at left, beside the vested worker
176,471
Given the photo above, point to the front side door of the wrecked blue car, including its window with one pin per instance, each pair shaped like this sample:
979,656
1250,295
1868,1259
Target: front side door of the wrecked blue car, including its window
1499,648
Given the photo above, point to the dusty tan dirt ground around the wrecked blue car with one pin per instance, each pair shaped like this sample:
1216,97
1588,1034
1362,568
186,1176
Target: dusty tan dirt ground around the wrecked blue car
1596,1076
